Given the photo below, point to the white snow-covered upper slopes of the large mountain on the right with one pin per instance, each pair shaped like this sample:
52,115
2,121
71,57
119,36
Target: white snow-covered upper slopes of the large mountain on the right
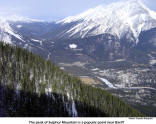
120,19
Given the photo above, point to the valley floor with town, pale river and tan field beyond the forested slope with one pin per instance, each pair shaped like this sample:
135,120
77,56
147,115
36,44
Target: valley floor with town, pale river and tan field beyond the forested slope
135,84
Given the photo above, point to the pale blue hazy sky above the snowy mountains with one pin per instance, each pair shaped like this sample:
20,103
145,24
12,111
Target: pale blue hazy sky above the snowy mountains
54,9
